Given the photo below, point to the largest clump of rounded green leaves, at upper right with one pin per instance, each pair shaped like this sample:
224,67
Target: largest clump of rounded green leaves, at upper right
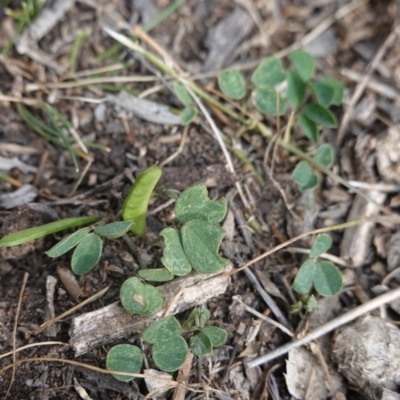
309,98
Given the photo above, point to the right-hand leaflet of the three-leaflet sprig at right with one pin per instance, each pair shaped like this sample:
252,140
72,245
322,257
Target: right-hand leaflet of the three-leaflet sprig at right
328,280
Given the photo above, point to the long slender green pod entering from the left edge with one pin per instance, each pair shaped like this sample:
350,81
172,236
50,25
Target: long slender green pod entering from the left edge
26,235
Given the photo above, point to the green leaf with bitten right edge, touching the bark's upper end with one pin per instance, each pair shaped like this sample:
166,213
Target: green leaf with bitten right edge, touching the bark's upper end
201,241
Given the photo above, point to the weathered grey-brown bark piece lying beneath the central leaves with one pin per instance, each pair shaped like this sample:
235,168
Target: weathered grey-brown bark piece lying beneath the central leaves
113,322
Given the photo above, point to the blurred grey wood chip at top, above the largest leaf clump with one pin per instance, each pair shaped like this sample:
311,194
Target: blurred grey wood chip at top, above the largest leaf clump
223,38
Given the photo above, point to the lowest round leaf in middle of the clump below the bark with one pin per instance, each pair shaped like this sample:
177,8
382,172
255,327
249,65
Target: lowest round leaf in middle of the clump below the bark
169,355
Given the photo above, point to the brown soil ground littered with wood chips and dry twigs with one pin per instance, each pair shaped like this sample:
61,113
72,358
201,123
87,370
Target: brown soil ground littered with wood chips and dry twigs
346,38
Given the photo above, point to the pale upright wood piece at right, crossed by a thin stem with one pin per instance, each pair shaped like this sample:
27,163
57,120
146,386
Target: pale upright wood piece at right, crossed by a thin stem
356,243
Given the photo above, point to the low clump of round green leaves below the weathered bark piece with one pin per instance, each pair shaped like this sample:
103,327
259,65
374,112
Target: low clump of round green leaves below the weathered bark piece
169,348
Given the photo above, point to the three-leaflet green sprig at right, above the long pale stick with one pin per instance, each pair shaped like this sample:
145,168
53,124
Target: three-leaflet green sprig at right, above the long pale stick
315,272
